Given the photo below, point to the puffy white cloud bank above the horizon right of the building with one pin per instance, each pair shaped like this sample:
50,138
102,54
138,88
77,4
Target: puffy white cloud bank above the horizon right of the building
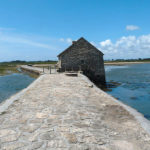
126,47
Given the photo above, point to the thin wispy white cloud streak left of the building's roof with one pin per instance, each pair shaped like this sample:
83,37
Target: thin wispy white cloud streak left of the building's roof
7,37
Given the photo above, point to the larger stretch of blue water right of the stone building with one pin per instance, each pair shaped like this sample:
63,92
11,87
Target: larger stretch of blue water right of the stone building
134,88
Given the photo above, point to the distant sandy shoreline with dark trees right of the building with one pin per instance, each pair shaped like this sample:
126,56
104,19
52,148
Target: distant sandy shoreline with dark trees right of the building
125,63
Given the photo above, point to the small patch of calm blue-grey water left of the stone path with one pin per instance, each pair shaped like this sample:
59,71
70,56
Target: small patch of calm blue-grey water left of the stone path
13,83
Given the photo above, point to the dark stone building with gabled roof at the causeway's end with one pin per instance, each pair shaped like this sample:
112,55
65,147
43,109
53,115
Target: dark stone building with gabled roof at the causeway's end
82,55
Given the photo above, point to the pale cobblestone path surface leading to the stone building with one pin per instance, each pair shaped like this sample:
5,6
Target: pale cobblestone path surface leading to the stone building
66,113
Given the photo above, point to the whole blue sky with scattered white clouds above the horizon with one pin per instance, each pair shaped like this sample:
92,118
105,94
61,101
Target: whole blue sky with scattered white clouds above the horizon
41,29
